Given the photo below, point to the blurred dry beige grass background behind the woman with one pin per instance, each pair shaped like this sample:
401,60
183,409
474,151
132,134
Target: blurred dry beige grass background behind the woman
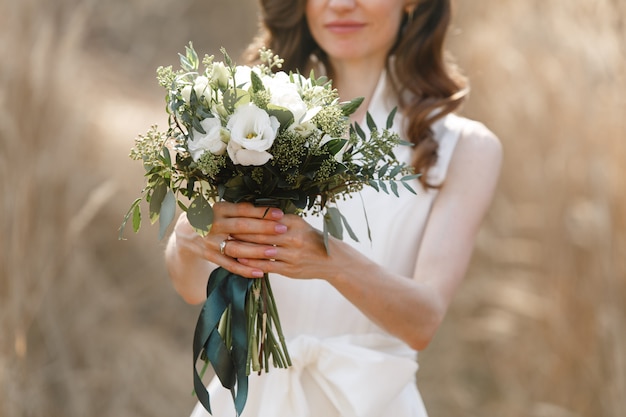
89,326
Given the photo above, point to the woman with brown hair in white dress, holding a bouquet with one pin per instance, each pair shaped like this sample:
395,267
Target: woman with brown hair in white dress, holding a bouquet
355,317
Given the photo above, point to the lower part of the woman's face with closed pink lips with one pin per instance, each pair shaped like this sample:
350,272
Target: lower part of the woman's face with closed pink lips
355,30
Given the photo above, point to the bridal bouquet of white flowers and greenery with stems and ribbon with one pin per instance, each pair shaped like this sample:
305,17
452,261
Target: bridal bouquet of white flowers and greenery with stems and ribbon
254,134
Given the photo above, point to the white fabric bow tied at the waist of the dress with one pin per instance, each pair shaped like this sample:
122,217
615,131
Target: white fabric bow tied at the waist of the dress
339,367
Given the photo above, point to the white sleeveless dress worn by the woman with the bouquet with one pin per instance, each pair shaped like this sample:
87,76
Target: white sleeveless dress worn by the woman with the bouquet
343,364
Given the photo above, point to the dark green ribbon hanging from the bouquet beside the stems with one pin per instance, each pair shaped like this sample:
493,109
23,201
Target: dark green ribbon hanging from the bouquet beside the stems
224,290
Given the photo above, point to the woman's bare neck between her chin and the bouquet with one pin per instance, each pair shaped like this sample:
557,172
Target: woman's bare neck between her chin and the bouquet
356,80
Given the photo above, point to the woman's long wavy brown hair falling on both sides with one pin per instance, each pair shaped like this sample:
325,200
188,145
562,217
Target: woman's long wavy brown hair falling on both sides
420,66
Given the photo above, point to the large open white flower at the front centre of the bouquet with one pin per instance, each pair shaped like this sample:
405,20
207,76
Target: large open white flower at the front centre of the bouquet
252,133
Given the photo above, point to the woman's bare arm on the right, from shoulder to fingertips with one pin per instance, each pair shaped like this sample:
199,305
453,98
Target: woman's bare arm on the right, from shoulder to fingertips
410,309
